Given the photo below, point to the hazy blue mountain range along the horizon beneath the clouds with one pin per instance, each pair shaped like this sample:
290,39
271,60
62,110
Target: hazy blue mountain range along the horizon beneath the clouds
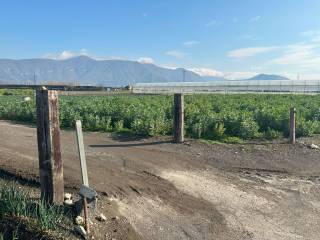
83,70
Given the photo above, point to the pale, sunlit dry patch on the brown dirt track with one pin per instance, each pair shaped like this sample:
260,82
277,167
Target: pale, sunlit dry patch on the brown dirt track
266,212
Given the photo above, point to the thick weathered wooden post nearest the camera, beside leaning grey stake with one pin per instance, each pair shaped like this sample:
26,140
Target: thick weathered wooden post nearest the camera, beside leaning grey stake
48,133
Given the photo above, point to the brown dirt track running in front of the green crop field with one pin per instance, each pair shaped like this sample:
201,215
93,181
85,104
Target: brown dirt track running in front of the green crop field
191,190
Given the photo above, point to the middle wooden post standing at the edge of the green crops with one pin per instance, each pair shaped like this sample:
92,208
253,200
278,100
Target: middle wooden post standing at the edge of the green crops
178,118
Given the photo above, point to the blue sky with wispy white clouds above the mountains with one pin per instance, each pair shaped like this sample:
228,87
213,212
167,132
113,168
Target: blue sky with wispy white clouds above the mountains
229,38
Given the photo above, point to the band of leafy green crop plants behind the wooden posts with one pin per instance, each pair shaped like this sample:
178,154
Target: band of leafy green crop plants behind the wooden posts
214,116
